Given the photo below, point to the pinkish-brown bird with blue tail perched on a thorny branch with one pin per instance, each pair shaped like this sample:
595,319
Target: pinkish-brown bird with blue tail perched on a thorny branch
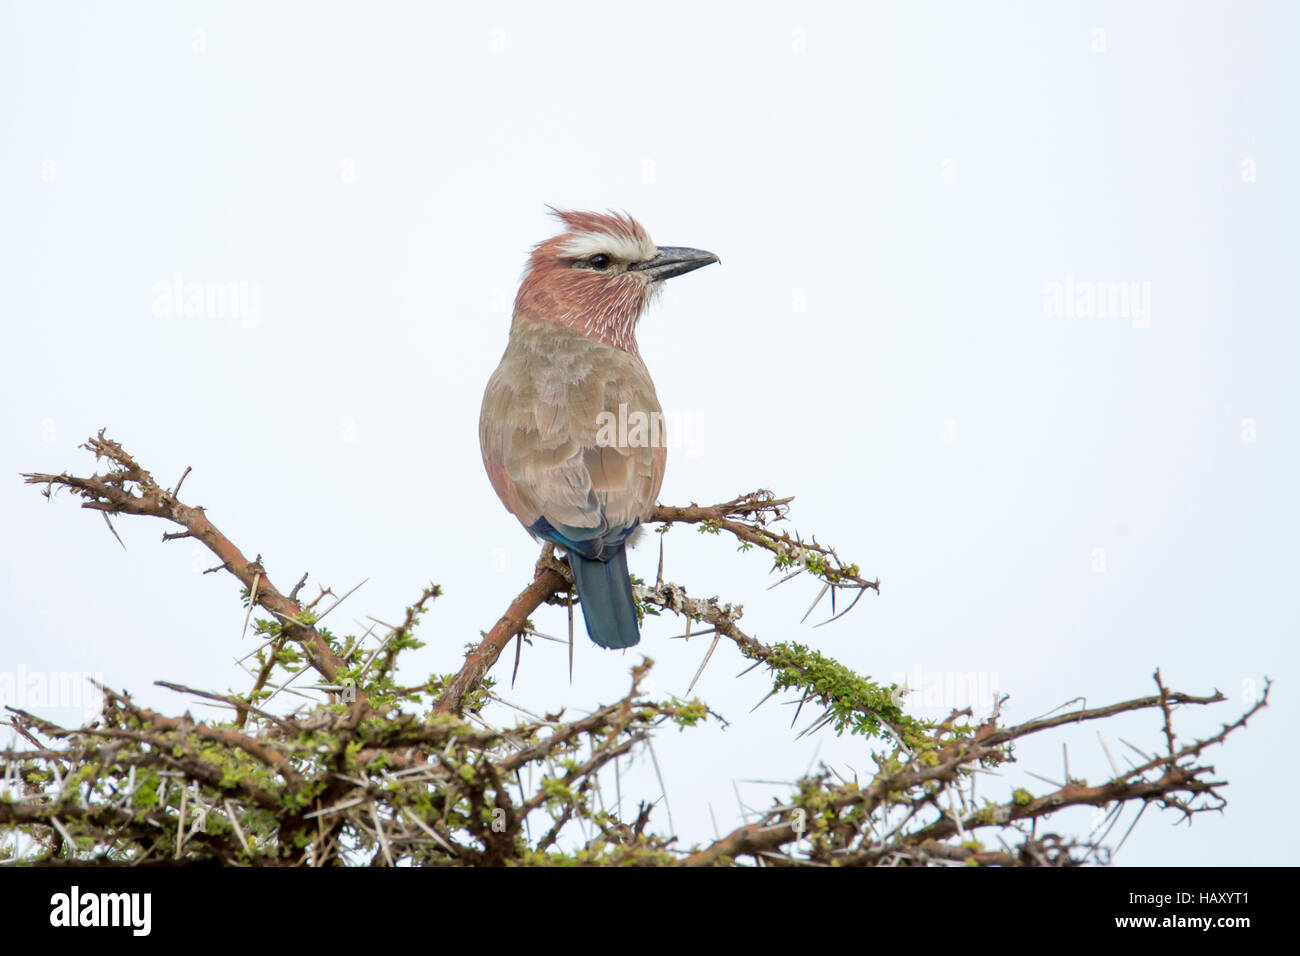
571,430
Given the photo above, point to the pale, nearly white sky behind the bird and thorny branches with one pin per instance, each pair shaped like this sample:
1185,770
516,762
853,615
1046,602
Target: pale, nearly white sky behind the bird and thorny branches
915,206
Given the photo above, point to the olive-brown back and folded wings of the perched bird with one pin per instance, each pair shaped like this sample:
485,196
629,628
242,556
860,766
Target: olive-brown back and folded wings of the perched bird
557,444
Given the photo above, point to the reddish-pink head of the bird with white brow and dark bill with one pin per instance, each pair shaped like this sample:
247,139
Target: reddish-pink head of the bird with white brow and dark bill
599,276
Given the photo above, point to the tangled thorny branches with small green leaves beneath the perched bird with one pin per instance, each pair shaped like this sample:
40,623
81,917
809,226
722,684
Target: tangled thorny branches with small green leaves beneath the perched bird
384,775
